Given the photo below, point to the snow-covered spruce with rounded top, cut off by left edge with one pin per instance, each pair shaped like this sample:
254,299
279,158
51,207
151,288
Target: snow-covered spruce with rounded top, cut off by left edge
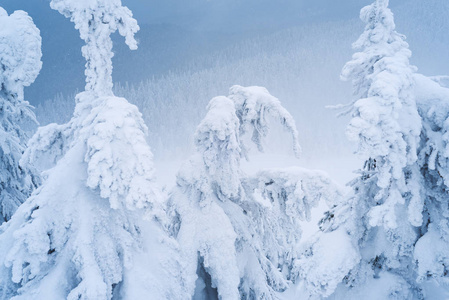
20,63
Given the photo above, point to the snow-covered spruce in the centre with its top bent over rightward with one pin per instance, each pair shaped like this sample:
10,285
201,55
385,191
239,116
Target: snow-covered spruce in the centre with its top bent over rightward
238,235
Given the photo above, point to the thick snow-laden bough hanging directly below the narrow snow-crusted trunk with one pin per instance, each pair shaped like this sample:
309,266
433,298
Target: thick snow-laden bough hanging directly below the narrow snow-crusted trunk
119,161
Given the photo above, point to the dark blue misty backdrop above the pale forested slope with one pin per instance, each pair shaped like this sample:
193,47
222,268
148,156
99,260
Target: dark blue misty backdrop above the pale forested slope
173,32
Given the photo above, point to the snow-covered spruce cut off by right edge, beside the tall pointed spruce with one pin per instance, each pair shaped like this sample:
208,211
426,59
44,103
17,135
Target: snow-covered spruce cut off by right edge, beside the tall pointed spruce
432,249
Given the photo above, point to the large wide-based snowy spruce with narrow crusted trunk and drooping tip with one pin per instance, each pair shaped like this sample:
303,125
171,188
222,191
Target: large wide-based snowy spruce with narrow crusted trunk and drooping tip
82,234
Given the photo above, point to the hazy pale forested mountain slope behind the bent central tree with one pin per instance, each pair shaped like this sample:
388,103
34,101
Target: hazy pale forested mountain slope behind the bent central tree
300,66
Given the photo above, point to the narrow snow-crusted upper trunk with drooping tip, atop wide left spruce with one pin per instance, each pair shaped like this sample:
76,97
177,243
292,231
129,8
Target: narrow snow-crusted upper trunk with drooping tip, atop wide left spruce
96,21
